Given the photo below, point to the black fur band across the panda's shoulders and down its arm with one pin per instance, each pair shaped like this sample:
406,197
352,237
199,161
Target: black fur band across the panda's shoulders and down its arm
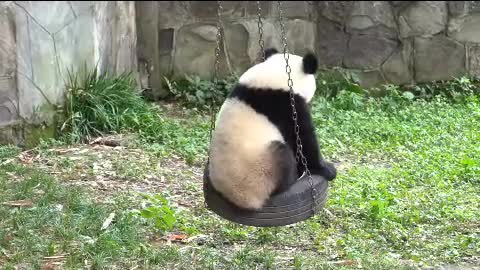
275,105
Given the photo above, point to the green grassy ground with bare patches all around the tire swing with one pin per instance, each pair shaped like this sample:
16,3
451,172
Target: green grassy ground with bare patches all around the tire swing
406,197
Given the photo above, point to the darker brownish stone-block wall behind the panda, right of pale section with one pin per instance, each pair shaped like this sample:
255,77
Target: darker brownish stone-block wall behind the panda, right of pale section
401,42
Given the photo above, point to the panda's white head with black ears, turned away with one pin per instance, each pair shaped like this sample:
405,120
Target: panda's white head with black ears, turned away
271,73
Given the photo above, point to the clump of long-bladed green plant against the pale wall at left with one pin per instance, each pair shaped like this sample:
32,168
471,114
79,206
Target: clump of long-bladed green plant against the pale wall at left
99,104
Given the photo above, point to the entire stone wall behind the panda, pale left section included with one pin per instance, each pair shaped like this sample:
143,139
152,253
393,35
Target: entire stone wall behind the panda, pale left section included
401,42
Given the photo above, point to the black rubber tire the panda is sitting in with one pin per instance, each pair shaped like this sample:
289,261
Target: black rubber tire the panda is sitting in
292,206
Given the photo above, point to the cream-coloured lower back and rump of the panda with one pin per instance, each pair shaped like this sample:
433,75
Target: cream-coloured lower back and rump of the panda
245,165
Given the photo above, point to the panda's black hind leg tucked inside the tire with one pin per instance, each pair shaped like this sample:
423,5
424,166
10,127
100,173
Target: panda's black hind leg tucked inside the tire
286,167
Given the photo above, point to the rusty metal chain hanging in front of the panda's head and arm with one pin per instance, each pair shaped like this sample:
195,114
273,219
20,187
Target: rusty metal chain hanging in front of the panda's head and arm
294,110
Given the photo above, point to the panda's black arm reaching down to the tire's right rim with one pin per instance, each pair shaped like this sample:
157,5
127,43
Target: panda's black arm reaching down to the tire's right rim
311,148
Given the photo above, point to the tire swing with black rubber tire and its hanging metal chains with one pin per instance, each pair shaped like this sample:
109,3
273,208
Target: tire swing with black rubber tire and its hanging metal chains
298,203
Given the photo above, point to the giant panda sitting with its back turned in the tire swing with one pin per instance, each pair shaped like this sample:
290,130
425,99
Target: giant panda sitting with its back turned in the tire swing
253,146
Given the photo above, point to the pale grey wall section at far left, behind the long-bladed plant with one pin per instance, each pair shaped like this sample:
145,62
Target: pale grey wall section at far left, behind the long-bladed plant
40,41
